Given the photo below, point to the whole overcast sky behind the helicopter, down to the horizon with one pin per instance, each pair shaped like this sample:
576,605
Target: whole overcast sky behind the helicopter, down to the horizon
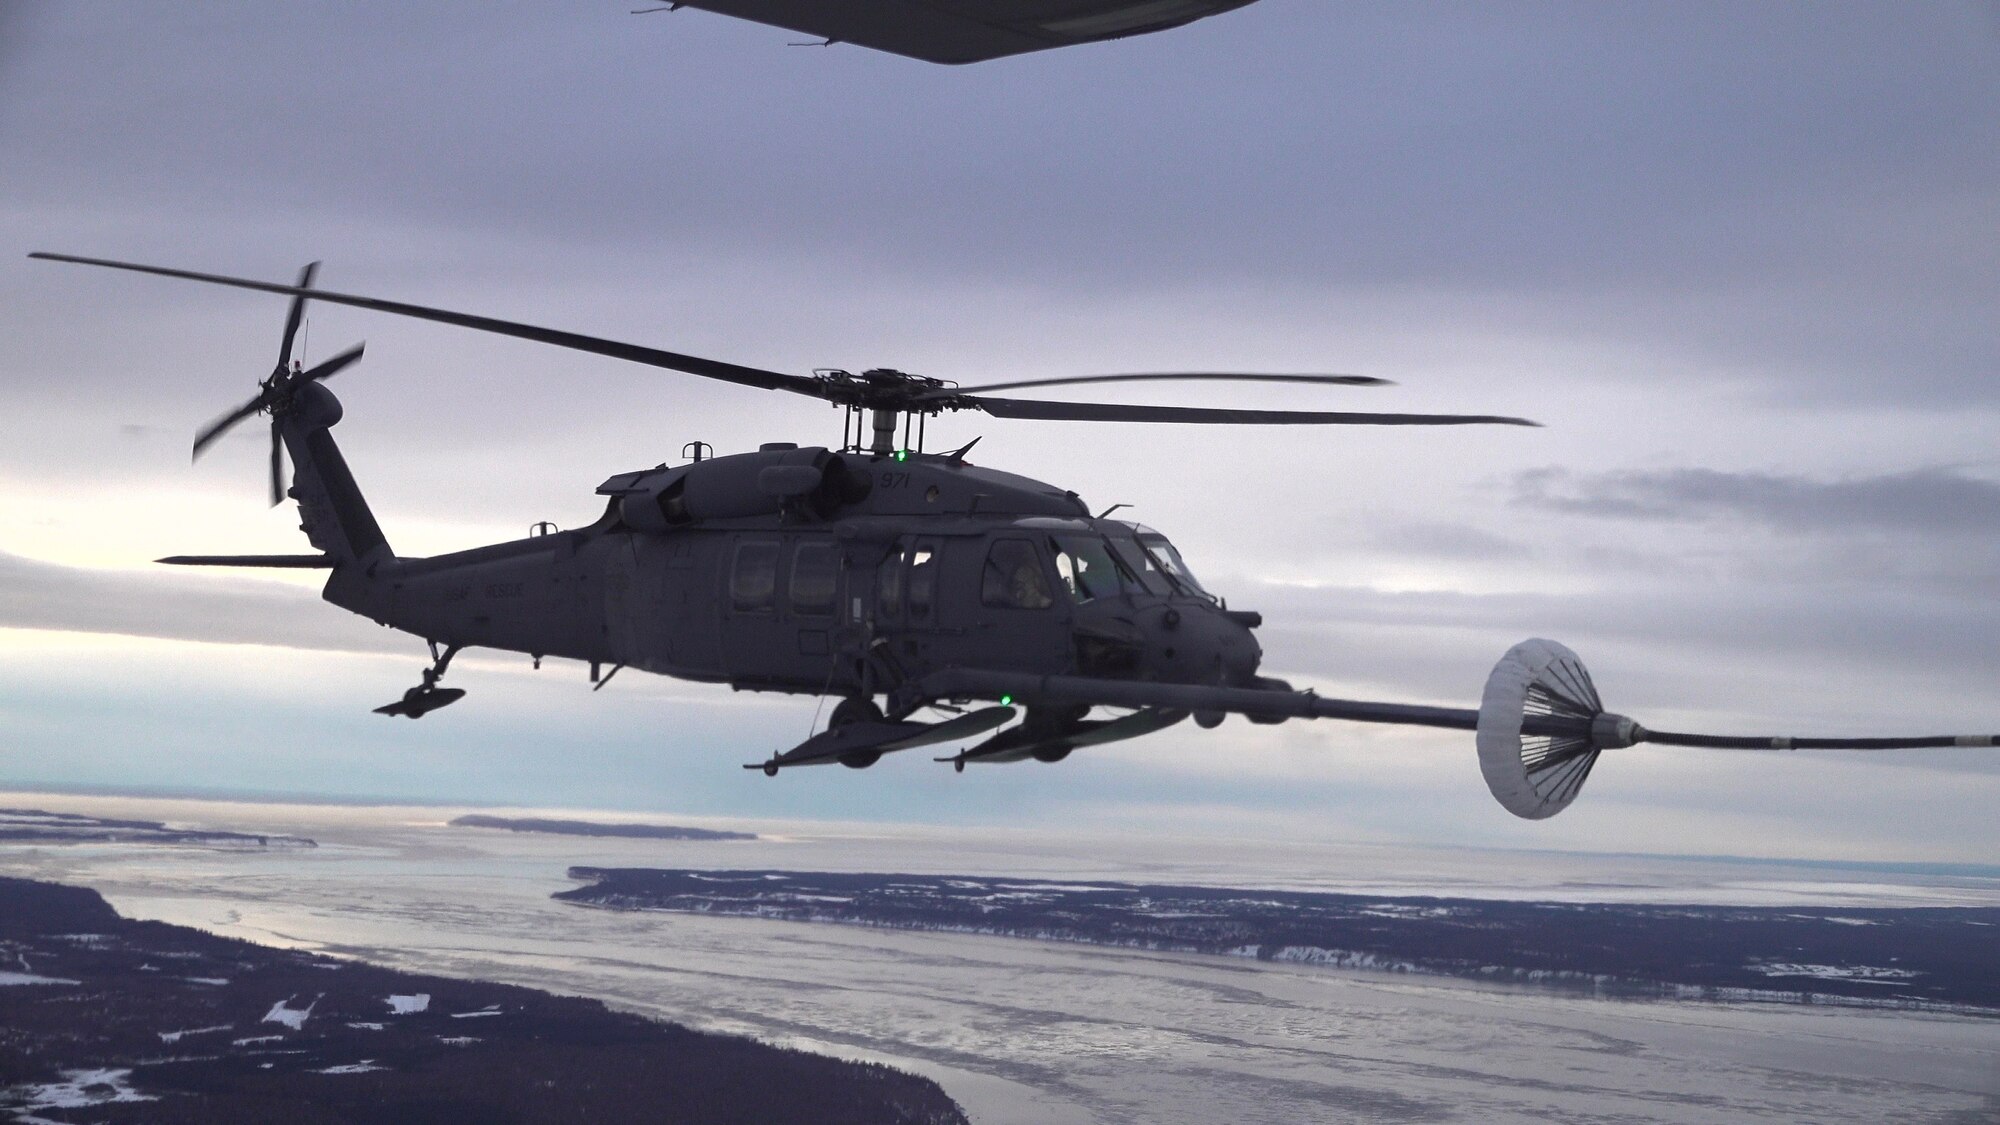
1741,259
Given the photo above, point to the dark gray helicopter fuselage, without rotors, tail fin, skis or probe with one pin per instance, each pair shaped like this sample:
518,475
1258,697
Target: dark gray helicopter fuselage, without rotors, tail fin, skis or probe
815,572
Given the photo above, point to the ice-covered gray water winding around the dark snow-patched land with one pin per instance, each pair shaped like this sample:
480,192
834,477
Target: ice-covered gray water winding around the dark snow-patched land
1029,1032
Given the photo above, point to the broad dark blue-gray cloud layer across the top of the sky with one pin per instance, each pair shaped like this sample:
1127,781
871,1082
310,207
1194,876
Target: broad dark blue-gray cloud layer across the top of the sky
1789,197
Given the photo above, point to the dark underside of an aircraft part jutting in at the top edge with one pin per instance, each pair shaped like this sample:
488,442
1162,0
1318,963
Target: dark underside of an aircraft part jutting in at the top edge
969,31
